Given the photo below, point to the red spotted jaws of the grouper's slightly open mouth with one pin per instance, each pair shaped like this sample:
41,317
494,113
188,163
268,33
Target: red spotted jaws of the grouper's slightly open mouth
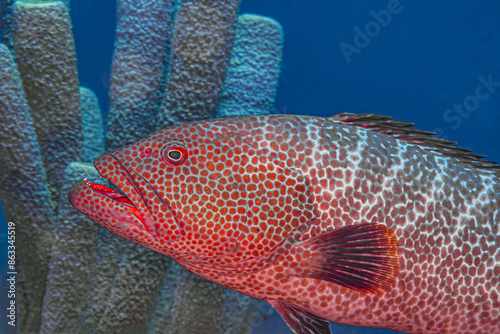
134,212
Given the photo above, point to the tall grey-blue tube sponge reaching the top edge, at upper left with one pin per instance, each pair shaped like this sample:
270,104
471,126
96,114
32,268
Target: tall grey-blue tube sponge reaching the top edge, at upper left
46,57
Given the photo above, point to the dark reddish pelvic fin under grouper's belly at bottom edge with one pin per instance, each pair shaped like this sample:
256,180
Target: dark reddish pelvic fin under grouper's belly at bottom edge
299,320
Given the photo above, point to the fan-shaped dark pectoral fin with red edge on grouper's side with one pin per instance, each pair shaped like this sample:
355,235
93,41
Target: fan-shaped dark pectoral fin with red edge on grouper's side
362,257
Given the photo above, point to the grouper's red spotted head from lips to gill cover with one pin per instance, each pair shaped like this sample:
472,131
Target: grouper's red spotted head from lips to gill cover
207,193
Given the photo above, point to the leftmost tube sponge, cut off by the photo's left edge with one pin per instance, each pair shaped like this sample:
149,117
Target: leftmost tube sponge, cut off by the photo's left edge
23,185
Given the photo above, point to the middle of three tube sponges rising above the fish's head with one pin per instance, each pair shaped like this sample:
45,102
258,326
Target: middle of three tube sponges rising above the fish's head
201,48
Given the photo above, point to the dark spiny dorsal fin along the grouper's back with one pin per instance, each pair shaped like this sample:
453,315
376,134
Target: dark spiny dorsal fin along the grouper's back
405,131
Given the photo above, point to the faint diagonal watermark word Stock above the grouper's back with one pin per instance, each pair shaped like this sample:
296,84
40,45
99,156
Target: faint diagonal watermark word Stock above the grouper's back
460,111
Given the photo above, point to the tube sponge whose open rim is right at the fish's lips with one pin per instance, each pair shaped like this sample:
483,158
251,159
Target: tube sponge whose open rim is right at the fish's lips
70,268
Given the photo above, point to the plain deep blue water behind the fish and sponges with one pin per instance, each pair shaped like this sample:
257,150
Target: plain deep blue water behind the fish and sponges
427,59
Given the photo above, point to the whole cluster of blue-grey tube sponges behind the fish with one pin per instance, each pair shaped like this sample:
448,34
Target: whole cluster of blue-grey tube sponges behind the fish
174,61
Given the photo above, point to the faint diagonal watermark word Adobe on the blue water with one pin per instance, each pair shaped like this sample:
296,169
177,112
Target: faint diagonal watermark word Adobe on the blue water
372,29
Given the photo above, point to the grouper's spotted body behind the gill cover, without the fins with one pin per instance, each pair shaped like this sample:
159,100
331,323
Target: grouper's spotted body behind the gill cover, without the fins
445,215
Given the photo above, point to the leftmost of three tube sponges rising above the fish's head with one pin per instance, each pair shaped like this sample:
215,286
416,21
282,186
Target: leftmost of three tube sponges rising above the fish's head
143,38
